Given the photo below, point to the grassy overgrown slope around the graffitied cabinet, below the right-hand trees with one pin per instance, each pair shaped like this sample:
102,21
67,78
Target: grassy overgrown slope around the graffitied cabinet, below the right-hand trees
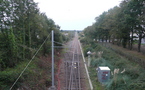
131,79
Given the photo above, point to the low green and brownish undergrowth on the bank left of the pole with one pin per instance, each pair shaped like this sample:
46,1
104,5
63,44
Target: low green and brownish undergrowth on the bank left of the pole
34,77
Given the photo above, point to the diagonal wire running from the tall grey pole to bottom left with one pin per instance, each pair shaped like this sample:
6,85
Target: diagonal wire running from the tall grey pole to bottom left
29,62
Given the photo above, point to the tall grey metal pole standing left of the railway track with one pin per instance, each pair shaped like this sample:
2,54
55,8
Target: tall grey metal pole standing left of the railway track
52,59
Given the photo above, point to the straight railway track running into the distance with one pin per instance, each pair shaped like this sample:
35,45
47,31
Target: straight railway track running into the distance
72,66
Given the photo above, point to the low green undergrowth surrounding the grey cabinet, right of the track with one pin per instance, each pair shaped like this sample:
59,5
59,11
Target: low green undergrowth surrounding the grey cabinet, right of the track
126,74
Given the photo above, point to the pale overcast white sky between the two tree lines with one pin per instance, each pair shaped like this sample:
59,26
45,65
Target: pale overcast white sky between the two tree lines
75,14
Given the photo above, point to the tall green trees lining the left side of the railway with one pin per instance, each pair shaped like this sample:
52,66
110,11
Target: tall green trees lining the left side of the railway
23,28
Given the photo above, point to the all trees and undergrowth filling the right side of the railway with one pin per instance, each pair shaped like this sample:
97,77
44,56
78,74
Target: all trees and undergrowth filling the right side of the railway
117,26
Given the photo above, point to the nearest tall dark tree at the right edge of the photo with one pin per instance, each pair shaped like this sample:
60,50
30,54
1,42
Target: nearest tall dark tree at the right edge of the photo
136,14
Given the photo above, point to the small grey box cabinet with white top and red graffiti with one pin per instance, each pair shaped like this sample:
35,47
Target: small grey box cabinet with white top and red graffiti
103,74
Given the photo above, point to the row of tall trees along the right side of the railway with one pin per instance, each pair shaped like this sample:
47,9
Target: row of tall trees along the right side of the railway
118,24
